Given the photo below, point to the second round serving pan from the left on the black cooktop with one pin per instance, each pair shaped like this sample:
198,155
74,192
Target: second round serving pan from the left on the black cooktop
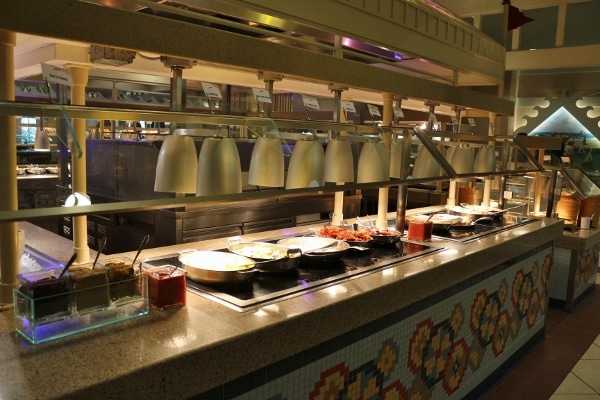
269,257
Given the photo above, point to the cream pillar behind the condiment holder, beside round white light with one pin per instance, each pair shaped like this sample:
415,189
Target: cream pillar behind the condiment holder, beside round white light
78,167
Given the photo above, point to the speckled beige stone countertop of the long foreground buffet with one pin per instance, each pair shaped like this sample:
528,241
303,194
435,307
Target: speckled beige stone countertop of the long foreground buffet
204,346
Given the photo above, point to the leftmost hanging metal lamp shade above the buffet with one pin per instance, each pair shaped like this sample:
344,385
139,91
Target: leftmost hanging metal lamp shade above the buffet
177,165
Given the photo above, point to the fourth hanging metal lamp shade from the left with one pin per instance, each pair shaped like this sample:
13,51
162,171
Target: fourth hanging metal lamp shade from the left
307,165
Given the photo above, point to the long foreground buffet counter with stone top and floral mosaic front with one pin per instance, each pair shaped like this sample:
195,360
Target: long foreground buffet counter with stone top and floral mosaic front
452,321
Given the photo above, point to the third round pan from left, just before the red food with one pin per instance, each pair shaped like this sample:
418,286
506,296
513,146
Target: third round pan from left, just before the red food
317,251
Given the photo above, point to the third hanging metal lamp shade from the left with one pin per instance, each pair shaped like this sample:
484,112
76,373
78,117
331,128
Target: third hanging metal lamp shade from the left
266,163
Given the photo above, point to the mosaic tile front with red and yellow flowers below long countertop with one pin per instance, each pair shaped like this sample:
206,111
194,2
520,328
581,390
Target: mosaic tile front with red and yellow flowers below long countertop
441,351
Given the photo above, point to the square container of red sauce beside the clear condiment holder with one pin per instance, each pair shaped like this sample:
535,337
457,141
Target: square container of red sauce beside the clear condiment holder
166,286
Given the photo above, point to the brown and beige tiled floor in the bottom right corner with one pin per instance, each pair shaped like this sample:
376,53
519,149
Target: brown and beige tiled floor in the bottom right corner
566,365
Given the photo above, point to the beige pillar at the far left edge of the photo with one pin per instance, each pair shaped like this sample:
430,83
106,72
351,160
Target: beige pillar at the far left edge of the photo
9,259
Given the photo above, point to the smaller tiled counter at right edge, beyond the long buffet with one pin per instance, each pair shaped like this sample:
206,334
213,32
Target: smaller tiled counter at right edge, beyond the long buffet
575,267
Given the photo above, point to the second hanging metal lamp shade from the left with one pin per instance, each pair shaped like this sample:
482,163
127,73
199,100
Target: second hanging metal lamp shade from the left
219,168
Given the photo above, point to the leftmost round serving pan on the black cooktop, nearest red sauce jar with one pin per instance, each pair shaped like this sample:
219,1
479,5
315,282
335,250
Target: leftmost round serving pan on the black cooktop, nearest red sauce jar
217,267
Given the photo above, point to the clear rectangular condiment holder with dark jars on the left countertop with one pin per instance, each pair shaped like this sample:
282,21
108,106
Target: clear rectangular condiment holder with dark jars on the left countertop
41,319
